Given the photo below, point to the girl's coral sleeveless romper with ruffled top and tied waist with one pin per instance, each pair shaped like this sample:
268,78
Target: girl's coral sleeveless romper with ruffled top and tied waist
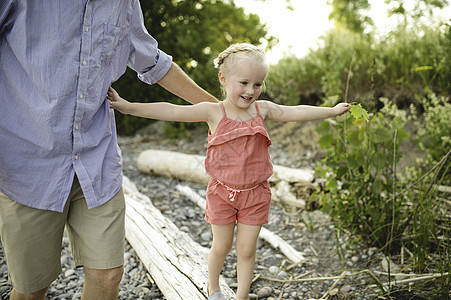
239,165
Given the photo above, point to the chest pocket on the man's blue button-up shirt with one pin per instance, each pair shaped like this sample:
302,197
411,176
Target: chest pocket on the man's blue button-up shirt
112,43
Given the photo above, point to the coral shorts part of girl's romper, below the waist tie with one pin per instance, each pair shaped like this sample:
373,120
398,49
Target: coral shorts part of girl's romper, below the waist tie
249,207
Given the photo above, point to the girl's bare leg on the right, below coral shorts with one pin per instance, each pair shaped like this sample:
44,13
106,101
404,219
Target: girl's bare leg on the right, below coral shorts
246,243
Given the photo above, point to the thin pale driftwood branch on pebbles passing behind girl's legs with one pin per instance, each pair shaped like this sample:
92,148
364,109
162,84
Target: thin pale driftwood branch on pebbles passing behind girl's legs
274,240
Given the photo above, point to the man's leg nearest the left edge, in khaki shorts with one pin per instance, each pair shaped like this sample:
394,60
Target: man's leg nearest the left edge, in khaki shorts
31,240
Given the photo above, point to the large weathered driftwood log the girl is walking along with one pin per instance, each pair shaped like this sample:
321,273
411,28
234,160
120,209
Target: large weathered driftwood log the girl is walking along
176,263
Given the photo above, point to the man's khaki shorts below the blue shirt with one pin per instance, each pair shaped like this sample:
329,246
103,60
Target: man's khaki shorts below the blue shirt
32,238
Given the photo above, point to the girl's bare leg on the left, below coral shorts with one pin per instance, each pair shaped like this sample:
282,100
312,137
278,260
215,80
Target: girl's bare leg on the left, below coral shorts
222,243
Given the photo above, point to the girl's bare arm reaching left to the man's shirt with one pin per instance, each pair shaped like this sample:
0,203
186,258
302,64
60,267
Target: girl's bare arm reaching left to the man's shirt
161,110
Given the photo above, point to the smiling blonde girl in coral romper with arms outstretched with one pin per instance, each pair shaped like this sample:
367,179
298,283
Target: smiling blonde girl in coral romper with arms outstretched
237,155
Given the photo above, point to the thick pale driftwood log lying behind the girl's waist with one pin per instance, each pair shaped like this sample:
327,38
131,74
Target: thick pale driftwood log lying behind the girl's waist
189,167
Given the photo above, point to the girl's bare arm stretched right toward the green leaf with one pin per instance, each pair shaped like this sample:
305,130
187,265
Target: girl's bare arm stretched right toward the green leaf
301,113
